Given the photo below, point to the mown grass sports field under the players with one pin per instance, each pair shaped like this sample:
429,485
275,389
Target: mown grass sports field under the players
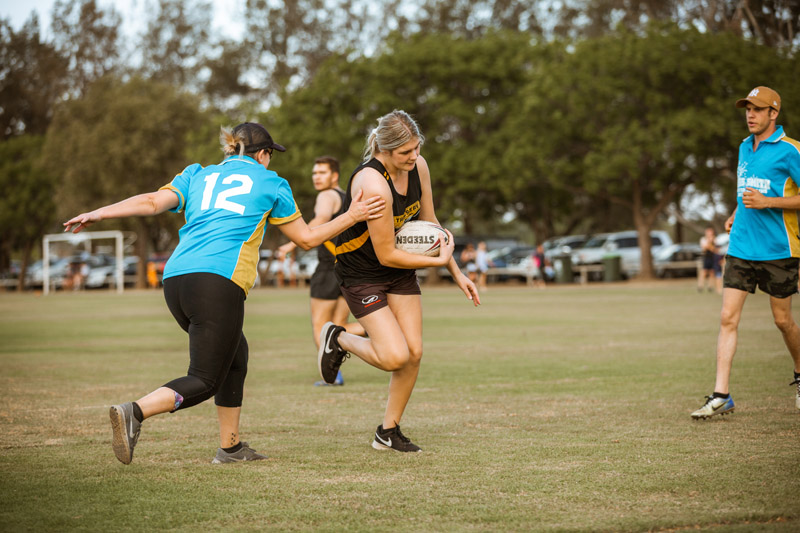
558,410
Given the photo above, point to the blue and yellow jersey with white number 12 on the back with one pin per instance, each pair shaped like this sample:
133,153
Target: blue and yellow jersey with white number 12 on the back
227,208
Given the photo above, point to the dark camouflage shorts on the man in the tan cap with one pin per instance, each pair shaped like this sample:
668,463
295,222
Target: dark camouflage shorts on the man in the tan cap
777,278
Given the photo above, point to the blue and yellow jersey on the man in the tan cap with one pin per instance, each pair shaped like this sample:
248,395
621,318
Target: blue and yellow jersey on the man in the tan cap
774,170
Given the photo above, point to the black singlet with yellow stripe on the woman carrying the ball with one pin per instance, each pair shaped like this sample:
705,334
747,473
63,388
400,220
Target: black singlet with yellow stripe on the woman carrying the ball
356,262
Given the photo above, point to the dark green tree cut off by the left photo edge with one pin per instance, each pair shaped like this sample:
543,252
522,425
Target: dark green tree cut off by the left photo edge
27,204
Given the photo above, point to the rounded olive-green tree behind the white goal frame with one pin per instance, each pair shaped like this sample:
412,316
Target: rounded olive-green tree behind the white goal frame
121,139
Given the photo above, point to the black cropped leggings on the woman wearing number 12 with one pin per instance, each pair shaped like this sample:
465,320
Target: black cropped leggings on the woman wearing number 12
211,309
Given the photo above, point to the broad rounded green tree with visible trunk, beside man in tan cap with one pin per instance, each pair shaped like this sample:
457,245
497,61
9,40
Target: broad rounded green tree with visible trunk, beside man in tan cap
633,120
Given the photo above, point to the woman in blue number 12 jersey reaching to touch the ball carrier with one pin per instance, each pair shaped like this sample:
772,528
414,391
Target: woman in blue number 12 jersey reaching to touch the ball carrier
227,208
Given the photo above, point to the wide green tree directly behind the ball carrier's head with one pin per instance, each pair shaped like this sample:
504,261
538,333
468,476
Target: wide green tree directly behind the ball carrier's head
459,90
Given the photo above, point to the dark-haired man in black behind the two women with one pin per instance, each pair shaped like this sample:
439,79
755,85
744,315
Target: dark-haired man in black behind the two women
327,302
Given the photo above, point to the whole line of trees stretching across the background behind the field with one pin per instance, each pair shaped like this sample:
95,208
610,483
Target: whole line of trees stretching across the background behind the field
602,115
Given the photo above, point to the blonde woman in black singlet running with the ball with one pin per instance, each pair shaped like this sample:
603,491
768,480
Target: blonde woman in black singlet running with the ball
378,280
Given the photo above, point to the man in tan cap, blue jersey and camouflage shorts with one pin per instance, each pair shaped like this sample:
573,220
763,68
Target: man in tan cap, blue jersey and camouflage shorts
764,242
